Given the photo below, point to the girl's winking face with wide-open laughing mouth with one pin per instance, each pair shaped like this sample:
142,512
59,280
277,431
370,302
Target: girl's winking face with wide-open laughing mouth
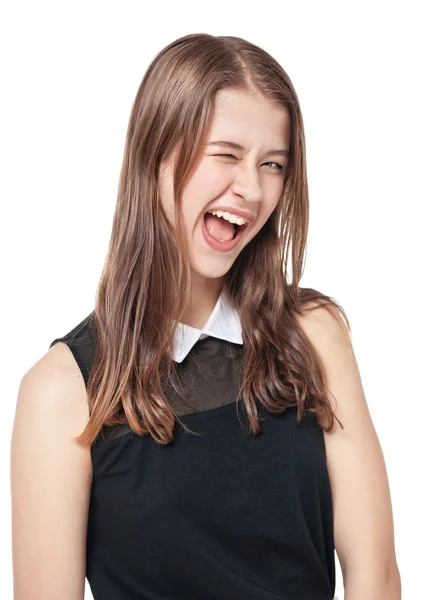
247,180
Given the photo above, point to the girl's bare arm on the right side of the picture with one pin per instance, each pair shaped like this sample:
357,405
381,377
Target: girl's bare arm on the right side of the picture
363,518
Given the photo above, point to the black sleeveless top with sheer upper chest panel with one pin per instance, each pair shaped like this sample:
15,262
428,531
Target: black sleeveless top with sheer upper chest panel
215,516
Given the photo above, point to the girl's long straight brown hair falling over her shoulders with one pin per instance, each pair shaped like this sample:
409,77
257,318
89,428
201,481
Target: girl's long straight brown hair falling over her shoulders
145,281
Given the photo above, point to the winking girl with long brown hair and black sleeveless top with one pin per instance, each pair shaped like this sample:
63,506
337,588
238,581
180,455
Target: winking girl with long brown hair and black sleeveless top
199,454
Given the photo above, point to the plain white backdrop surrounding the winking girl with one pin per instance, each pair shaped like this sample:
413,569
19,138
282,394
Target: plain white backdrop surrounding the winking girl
70,72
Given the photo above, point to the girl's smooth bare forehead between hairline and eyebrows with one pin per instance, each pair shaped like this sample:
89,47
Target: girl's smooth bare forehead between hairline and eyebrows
249,118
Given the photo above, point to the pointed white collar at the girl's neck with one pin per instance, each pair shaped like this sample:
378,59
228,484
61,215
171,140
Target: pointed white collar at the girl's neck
223,323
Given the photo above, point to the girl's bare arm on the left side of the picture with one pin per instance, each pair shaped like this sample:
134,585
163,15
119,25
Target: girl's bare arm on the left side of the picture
50,480
